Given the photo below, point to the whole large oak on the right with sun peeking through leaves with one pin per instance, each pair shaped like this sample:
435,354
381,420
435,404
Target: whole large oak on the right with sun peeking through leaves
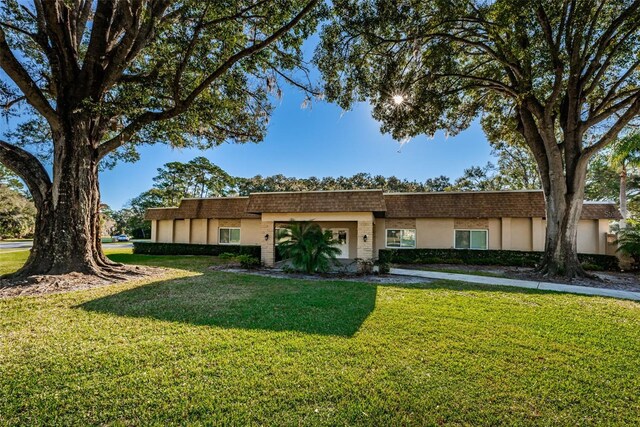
562,74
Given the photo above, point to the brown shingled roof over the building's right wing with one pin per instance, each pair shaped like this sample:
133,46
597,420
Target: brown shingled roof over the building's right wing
498,204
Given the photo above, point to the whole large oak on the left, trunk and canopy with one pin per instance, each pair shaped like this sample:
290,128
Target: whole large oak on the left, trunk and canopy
97,78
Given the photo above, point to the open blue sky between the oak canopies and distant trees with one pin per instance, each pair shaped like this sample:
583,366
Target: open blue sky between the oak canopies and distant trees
318,141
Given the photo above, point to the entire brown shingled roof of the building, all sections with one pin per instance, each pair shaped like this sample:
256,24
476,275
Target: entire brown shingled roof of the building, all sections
510,204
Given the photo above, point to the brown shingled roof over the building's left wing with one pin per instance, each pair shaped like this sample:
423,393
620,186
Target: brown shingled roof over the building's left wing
219,207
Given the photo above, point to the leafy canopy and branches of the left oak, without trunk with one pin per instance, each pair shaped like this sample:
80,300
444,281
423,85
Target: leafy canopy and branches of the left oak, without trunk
185,73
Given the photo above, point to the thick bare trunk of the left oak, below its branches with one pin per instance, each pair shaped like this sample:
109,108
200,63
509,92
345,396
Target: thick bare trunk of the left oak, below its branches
67,235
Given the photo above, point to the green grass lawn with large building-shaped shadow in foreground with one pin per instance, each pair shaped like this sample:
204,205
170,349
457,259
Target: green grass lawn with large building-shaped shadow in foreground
212,348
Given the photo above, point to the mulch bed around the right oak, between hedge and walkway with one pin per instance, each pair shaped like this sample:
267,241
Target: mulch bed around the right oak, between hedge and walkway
624,281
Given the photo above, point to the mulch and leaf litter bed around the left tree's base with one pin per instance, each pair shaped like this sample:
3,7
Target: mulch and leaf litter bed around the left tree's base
41,285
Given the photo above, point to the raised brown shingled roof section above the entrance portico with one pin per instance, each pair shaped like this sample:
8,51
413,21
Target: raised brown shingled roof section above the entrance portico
318,201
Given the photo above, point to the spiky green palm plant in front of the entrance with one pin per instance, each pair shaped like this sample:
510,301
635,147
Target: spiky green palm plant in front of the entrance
308,247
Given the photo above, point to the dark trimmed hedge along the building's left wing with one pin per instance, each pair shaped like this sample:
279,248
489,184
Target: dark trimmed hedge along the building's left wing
147,248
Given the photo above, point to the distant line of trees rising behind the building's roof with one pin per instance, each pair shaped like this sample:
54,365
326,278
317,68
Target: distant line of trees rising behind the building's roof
513,170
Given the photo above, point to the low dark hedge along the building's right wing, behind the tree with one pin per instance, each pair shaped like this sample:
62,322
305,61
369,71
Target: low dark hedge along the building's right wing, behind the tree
486,257
